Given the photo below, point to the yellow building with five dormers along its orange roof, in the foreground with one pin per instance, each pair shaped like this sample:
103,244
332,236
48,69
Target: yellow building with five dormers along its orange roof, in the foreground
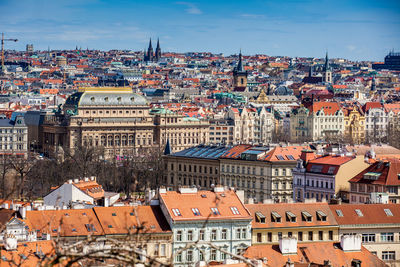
307,222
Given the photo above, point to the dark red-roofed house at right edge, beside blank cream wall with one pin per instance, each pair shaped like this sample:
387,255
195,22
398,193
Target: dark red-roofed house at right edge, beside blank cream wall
381,177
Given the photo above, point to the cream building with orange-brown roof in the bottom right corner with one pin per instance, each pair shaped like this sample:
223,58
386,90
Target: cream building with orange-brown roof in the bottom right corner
378,225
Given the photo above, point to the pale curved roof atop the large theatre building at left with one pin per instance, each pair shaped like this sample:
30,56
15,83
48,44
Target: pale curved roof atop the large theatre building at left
106,98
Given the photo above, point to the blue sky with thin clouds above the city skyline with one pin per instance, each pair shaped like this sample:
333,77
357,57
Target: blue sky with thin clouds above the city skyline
351,29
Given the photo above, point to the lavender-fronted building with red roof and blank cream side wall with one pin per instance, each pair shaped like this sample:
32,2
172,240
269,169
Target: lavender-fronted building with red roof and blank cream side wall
326,177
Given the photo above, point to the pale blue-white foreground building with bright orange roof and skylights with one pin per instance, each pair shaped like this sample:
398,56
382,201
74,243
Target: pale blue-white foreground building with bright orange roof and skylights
206,225
